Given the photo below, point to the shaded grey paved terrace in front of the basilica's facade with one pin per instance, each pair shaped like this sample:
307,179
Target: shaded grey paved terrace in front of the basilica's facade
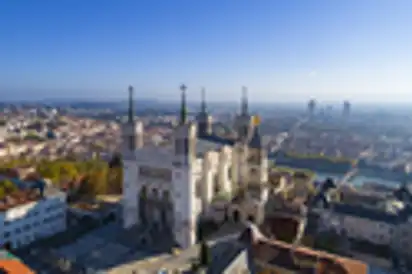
100,250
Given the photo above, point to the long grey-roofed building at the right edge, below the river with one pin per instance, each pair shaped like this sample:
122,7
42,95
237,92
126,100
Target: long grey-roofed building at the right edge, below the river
387,224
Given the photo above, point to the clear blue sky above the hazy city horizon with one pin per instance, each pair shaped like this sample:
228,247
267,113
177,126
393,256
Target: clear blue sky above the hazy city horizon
282,50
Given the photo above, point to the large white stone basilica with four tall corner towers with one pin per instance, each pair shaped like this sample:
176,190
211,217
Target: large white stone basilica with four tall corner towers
171,187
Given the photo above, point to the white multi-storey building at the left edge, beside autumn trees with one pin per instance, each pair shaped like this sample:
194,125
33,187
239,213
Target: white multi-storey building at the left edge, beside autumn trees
23,221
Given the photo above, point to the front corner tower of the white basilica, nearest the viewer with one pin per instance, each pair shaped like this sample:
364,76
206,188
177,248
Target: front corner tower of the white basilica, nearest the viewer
185,137
